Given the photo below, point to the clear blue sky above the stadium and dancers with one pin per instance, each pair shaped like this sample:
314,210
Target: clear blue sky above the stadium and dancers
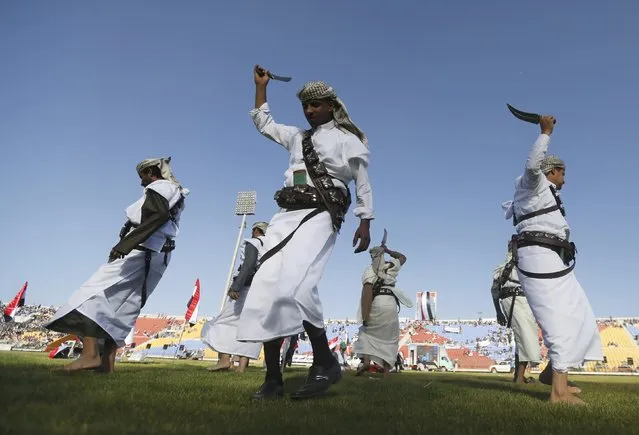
88,89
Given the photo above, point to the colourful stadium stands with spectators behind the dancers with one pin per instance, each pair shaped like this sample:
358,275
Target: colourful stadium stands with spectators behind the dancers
472,344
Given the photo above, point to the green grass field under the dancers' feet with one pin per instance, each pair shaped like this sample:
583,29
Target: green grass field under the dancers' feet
182,397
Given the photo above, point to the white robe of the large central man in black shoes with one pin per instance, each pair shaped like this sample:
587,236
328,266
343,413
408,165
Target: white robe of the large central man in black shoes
284,290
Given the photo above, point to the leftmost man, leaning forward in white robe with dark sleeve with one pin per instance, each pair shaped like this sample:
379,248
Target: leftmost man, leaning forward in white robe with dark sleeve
106,307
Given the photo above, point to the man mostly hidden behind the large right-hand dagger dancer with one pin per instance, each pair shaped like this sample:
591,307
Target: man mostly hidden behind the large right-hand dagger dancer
514,312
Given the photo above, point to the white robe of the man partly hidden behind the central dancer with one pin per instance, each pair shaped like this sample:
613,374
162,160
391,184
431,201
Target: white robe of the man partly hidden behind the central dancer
220,334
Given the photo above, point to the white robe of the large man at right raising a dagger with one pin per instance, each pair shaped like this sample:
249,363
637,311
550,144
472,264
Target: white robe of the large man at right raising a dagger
560,305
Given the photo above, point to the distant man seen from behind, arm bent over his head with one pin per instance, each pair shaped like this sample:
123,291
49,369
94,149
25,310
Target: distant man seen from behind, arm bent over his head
378,337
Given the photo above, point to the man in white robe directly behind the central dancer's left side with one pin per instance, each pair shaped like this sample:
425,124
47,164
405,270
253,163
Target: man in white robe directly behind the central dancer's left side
220,334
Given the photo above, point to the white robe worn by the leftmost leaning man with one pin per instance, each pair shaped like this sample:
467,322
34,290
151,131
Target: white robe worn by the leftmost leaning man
112,297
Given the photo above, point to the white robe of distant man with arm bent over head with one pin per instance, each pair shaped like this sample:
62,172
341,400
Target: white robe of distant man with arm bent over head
379,339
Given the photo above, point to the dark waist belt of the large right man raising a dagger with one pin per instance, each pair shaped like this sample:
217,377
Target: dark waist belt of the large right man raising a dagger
566,251
